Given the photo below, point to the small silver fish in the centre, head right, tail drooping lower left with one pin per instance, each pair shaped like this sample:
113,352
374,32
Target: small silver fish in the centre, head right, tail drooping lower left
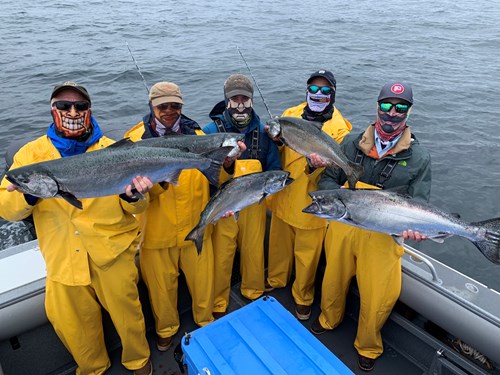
237,194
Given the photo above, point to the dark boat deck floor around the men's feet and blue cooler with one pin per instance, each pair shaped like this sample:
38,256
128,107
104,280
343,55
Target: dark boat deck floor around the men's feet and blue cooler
409,347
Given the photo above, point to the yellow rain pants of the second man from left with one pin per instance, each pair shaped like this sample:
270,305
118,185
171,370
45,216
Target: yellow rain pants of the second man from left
160,270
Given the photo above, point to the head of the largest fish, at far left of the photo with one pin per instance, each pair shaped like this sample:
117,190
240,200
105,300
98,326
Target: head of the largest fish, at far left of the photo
38,184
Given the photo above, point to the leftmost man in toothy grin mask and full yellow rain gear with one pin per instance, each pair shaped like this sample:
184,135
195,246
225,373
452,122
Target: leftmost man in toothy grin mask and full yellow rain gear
89,253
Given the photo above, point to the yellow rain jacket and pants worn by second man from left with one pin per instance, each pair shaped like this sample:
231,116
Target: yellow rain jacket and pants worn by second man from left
172,213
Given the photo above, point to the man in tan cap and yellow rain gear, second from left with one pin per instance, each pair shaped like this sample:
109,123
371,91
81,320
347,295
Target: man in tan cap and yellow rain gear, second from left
173,211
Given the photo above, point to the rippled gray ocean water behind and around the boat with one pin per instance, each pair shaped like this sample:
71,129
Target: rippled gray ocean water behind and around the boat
448,50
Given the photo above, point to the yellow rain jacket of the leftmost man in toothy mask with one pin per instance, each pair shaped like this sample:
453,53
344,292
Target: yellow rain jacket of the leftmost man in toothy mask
102,230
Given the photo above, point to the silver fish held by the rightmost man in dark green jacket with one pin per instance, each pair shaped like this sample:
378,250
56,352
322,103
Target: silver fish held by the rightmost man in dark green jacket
391,213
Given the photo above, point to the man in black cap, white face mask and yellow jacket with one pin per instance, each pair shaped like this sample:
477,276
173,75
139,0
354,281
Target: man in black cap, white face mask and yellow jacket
294,235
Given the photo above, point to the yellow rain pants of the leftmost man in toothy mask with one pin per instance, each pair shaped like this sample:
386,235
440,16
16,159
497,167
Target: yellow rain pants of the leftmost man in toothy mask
75,314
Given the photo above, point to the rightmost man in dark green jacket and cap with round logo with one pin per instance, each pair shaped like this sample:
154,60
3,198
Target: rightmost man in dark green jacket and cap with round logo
392,158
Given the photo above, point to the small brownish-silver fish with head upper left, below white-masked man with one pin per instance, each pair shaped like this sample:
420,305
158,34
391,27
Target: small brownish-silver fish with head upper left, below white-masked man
306,137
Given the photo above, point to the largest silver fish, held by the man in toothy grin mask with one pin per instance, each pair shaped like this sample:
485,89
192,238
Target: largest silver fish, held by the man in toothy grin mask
108,171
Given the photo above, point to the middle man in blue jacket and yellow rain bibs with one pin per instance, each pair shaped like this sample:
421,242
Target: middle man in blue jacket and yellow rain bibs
236,114
